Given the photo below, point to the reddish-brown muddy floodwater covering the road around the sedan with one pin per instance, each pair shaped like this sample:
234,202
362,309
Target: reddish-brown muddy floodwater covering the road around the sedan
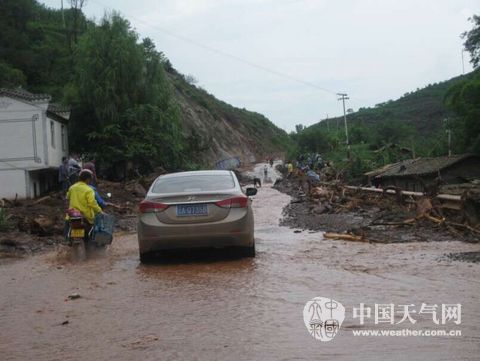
219,308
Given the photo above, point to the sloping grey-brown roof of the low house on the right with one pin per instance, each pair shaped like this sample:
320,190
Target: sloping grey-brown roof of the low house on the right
418,166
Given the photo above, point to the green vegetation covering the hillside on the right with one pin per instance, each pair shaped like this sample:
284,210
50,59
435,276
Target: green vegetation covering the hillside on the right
412,126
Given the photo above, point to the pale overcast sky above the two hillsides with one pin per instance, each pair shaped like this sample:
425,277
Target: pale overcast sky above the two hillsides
286,59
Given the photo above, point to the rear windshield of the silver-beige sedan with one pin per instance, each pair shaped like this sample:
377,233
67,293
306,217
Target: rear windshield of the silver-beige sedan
194,183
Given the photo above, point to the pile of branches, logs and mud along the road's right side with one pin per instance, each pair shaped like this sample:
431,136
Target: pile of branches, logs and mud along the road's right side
380,216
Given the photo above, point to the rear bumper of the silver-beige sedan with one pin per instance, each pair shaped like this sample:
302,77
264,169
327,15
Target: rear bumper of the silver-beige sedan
235,230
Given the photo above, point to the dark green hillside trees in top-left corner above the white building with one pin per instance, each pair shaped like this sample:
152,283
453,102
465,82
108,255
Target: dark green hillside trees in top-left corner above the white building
37,47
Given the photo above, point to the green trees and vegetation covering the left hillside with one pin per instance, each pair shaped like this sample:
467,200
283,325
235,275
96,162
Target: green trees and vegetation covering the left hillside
121,89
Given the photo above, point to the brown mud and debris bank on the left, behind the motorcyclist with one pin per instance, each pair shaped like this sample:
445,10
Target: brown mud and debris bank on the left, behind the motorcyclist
35,224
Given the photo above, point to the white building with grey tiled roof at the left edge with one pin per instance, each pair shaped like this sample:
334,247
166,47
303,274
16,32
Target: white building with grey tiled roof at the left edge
33,140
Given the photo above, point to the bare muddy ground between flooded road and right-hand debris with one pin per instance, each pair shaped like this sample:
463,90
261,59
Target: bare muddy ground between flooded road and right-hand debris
369,217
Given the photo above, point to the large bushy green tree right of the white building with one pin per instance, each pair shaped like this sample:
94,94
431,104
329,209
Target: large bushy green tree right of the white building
123,108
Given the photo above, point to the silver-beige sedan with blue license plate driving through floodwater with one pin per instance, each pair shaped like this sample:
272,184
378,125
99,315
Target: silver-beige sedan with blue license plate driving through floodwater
196,209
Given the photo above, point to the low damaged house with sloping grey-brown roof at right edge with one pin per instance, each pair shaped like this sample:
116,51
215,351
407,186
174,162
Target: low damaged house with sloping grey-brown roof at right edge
415,174
